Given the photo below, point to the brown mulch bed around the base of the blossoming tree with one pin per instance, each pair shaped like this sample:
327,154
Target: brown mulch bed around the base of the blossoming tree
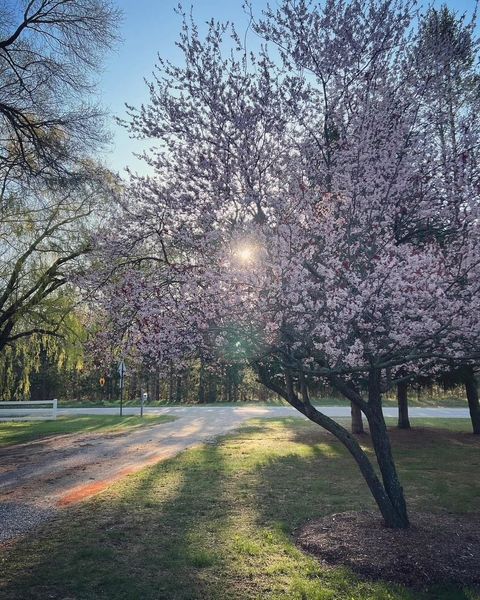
437,548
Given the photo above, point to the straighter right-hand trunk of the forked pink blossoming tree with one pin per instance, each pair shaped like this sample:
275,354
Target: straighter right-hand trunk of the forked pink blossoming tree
383,452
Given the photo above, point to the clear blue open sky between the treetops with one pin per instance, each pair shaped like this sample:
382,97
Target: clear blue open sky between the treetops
149,28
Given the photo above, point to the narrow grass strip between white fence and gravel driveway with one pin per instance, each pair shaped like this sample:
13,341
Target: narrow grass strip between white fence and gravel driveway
18,432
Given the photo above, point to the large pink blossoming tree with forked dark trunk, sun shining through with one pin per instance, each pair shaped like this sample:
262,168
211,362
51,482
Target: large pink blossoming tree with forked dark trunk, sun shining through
298,217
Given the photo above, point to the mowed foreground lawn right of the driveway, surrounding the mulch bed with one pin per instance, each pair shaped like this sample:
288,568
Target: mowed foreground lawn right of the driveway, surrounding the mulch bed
216,522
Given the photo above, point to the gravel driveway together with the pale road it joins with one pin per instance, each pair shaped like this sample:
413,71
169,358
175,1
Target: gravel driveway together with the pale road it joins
38,478
